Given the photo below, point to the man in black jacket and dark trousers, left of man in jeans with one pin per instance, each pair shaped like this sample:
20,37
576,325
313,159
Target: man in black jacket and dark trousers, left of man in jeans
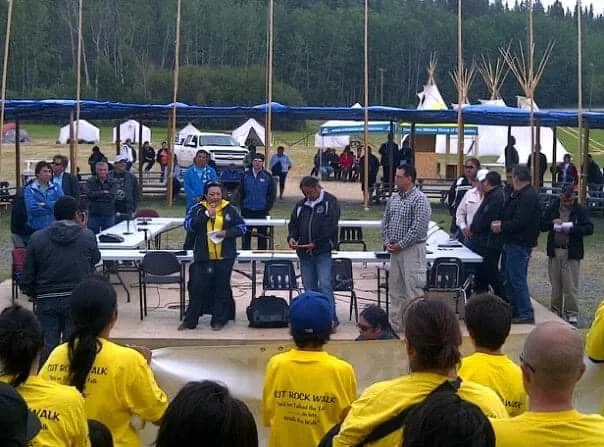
484,241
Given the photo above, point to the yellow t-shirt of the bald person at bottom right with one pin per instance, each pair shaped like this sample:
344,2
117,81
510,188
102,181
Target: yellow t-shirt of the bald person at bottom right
563,429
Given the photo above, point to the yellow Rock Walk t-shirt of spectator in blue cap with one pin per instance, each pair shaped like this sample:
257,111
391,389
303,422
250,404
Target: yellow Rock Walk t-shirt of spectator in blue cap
305,394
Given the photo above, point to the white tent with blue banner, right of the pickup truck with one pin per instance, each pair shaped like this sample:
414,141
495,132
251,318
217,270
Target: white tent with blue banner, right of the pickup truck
336,133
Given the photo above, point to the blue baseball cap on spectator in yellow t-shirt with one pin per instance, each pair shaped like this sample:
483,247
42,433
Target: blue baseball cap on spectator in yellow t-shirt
311,313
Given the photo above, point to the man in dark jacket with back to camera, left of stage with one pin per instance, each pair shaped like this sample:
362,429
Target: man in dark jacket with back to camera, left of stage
58,258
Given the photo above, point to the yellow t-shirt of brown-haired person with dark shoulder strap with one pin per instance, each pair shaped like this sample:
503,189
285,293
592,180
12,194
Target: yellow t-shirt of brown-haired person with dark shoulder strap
383,400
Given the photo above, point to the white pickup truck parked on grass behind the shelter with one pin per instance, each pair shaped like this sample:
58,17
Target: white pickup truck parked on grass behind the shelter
223,149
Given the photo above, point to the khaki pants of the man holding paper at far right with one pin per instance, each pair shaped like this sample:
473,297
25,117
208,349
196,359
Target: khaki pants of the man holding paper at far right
564,278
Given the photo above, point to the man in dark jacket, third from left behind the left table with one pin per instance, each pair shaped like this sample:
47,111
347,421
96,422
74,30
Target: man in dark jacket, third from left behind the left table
101,194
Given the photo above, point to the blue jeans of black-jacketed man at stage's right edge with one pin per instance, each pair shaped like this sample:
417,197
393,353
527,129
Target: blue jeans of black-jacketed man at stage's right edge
516,280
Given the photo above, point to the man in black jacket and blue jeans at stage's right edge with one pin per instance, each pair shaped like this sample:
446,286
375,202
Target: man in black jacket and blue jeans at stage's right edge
520,229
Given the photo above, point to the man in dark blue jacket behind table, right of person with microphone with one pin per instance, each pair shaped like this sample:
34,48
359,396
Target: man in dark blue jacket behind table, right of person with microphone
257,194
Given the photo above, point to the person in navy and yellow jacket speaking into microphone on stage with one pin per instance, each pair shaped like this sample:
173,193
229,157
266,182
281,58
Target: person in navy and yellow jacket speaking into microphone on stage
214,224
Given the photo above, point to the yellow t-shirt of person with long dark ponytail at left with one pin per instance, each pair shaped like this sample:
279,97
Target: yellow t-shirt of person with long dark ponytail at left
120,385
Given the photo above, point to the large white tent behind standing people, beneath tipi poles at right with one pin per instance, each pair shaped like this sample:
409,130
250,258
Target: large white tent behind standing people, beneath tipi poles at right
493,139
